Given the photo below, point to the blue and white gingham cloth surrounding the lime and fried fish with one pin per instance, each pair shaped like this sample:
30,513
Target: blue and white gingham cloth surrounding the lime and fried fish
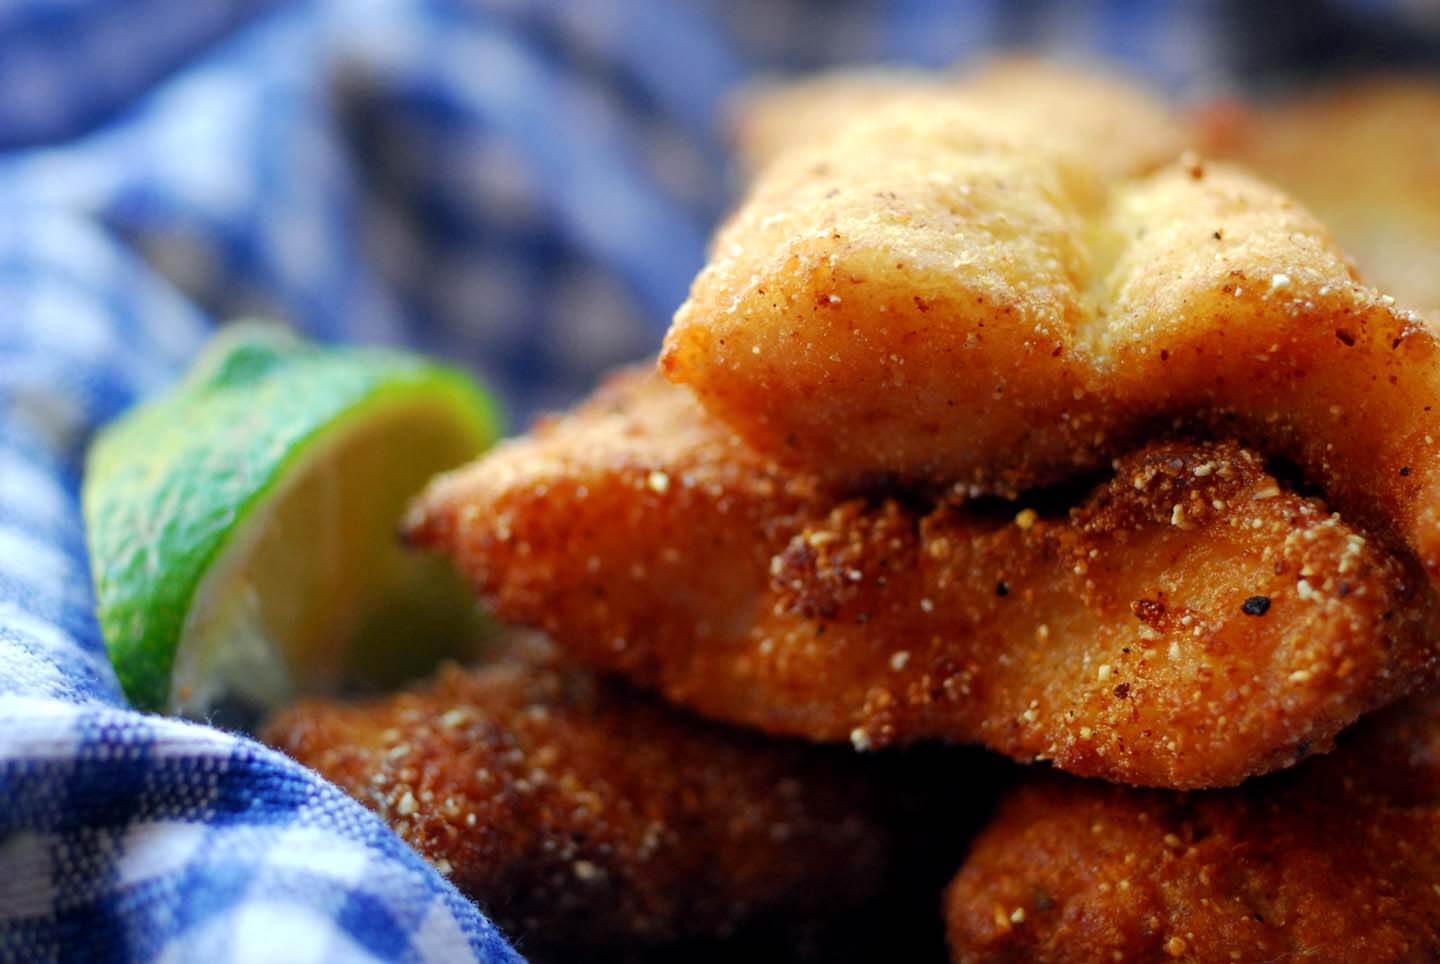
521,187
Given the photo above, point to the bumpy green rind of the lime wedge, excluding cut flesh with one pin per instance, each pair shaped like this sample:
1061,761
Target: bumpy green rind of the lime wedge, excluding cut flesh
168,485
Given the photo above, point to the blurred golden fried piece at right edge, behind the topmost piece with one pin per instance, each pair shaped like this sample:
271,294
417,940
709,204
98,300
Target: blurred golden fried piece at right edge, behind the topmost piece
1364,158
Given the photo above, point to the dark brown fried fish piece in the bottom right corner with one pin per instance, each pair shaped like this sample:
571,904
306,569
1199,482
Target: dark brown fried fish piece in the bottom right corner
1337,861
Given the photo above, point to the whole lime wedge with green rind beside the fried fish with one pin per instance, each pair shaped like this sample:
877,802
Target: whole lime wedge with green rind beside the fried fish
243,528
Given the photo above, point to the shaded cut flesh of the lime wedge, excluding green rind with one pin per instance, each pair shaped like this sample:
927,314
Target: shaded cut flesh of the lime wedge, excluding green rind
313,593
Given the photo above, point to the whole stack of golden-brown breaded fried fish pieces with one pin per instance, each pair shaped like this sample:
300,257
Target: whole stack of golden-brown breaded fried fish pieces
1002,417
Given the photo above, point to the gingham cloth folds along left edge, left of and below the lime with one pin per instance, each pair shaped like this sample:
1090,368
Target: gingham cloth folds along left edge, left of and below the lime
127,836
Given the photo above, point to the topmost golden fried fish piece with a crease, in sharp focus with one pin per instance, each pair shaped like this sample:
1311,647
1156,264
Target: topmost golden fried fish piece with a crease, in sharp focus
950,295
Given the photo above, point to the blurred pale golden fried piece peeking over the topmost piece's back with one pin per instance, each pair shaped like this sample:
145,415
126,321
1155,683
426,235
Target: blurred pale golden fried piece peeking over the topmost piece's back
1089,107
